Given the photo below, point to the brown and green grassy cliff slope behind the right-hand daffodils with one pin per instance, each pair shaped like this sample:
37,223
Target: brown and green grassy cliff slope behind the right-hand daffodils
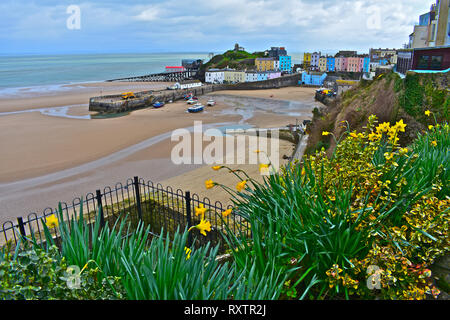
391,99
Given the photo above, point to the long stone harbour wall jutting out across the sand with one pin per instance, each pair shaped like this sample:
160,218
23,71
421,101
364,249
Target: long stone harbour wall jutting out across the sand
144,99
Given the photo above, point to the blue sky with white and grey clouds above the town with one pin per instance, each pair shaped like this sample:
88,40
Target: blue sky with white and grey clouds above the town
138,26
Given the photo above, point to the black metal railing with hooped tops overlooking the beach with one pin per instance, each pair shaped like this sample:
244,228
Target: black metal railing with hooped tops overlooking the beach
162,208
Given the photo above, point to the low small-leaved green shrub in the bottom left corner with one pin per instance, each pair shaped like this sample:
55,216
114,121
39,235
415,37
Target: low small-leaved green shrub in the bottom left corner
38,274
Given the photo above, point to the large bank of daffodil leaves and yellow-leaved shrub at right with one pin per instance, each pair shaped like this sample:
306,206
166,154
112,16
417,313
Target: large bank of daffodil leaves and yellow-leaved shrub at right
372,203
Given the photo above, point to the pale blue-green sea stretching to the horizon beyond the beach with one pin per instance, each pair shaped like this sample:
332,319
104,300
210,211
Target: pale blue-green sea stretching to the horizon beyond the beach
49,73
